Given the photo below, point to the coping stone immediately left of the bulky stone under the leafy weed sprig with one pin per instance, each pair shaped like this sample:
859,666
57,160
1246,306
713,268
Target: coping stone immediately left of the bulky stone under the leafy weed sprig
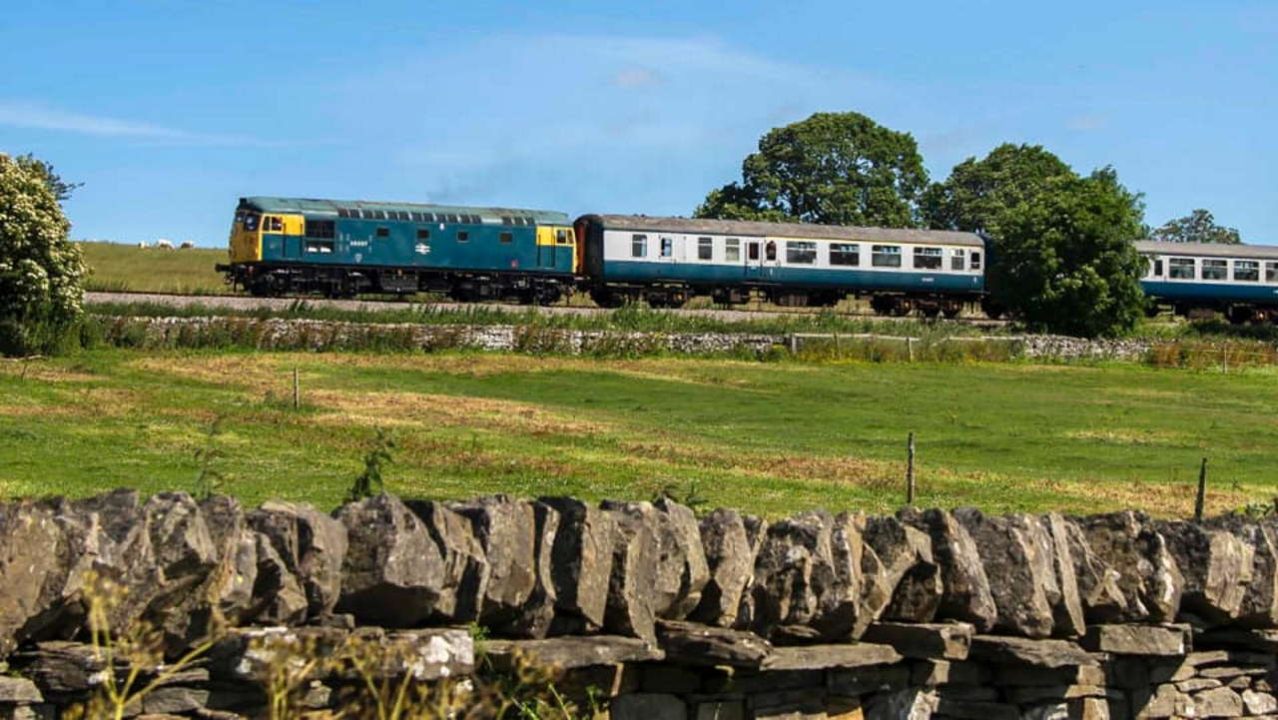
311,544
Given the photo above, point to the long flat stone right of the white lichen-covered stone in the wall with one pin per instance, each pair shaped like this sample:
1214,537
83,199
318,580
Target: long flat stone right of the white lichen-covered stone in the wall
573,653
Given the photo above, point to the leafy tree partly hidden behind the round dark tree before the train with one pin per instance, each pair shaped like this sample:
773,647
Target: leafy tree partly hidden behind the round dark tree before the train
980,194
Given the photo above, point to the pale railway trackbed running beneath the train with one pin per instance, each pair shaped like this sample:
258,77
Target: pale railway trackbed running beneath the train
249,304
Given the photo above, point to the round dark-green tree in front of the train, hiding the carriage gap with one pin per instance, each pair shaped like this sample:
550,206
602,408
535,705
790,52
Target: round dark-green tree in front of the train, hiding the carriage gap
1065,260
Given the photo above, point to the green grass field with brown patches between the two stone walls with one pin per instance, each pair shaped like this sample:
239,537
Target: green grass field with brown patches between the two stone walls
769,438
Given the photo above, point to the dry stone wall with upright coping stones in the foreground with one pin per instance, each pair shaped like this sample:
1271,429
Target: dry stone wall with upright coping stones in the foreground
651,611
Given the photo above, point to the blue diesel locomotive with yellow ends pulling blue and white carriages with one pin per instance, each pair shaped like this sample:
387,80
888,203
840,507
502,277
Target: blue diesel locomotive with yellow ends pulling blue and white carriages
344,249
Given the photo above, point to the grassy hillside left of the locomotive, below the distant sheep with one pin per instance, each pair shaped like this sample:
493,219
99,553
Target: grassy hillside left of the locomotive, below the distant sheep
119,268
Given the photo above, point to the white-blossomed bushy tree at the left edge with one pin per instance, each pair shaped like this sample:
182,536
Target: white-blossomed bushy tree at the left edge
42,270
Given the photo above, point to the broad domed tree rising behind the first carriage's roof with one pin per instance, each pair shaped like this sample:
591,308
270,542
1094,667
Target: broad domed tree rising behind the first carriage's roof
834,168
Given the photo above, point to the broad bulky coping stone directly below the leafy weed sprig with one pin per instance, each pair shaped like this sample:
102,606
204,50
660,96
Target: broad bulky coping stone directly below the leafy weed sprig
393,575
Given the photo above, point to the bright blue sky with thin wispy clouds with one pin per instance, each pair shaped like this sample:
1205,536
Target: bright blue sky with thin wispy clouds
172,111
